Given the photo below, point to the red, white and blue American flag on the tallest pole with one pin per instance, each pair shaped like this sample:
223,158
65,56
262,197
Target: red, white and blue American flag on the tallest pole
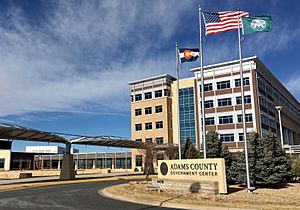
218,22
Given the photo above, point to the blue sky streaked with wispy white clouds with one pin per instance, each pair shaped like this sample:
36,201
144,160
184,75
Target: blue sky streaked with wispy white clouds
65,65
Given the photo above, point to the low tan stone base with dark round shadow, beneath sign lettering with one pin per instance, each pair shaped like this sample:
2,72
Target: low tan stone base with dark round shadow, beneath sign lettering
188,186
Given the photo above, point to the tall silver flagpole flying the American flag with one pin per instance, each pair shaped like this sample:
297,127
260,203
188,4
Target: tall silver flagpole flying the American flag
202,86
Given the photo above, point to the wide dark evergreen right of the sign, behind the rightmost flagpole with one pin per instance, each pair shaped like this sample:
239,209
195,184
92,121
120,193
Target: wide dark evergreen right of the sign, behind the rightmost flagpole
268,163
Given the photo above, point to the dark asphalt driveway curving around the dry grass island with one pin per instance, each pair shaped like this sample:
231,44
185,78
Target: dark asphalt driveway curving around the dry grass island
70,196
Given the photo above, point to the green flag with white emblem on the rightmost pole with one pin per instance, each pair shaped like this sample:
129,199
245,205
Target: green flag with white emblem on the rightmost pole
257,24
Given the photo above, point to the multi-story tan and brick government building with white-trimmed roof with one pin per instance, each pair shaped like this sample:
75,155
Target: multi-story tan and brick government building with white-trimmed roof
154,106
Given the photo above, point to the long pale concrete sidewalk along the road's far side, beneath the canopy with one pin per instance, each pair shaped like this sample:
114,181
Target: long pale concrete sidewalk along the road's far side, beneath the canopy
11,184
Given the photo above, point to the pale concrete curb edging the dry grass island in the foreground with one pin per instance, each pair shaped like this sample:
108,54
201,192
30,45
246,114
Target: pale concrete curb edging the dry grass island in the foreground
105,193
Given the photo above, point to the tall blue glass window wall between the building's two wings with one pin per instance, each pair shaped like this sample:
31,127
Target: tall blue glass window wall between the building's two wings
187,115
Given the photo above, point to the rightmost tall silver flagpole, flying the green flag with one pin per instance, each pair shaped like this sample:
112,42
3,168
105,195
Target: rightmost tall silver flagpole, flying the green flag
243,107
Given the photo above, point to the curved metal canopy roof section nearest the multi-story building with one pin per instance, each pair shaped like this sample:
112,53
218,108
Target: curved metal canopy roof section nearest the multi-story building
110,141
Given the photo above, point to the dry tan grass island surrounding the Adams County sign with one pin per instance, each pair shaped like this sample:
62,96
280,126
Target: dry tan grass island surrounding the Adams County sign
263,198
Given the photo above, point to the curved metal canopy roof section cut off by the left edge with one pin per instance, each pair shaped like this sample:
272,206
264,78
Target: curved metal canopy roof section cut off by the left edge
16,132
